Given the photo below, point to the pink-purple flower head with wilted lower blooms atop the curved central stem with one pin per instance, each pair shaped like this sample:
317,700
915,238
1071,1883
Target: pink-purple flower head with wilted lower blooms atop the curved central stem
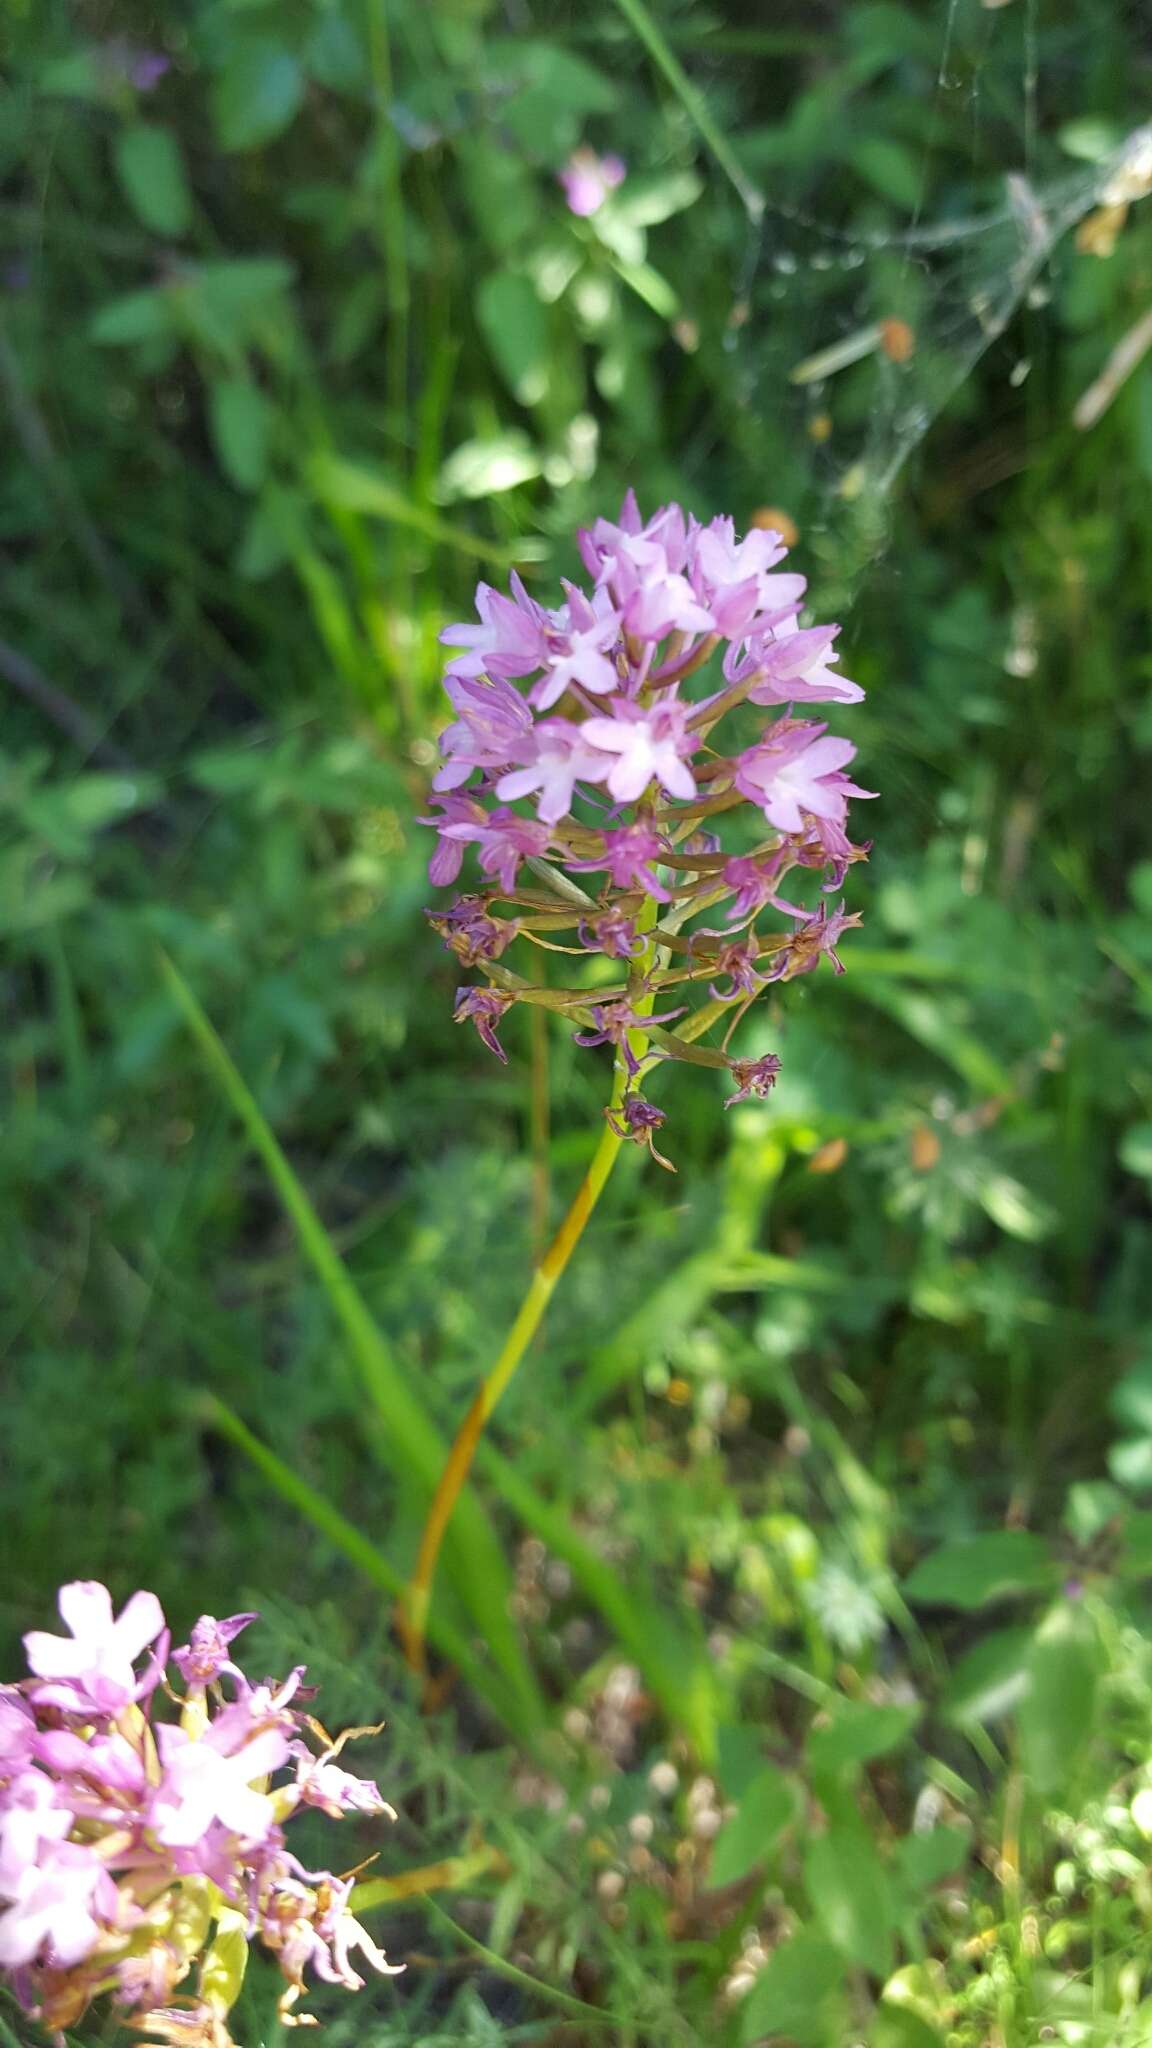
585,744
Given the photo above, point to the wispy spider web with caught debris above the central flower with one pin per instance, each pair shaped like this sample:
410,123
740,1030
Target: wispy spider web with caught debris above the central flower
874,333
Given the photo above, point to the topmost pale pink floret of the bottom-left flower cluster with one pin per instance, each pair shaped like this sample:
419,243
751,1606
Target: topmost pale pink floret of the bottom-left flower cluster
93,1668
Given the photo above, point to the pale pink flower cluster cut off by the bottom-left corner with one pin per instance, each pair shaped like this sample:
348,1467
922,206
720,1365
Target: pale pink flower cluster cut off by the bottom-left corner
138,1850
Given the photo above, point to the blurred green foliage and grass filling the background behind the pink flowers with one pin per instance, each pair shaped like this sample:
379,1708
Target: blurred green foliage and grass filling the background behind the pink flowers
825,1701
